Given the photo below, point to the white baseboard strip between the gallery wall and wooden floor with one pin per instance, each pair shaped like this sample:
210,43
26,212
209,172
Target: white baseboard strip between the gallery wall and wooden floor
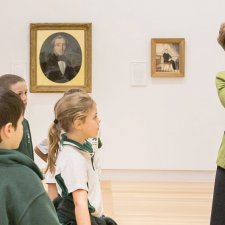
158,175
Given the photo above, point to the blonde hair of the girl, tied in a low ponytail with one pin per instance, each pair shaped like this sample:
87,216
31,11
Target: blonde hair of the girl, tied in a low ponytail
68,109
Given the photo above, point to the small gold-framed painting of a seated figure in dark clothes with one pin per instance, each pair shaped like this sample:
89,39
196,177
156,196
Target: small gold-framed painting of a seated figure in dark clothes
167,57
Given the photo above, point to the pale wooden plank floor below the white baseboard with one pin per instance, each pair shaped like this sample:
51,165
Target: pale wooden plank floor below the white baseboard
146,203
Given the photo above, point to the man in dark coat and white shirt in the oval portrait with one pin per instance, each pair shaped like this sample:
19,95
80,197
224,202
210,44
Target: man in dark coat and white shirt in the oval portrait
56,66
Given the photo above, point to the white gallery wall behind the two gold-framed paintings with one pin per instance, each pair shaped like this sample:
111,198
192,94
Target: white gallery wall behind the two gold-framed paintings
168,124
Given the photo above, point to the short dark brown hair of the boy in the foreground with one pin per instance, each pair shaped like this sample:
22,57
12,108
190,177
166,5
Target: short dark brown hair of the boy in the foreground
11,108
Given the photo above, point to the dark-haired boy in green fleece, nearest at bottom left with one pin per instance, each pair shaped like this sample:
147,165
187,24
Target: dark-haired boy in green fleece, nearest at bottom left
23,200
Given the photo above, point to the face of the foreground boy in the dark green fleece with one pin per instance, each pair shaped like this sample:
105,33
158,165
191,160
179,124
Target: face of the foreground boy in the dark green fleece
17,134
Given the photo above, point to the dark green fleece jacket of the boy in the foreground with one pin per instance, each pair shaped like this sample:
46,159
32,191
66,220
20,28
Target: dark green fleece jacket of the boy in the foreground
23,200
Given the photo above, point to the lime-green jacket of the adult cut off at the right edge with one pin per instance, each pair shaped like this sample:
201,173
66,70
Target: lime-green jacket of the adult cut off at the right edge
220,84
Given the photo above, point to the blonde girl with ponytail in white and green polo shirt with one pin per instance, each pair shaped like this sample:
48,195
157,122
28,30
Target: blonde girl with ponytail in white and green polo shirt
71,159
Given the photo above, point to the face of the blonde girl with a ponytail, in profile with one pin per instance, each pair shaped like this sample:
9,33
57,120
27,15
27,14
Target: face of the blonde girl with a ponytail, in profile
90,127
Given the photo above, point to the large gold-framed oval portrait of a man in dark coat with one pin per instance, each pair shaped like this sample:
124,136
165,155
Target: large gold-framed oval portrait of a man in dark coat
60,56
